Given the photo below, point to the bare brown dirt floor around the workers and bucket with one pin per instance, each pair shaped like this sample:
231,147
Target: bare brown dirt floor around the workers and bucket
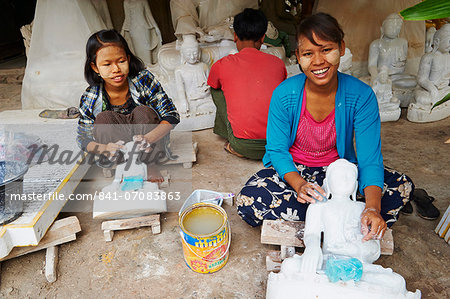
137,264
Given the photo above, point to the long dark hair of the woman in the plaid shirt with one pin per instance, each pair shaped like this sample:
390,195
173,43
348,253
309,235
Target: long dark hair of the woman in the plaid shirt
101,39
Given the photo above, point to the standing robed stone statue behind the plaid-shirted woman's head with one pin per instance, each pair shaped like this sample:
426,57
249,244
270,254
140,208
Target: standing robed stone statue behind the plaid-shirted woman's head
141,31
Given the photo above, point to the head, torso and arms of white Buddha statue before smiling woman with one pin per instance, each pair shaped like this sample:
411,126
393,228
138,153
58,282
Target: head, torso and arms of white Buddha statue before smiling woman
339,220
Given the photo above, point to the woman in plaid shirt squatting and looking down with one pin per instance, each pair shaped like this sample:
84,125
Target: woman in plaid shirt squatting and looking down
123,102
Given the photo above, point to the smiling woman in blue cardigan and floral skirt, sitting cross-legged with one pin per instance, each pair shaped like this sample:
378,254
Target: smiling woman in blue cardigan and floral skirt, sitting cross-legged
314,119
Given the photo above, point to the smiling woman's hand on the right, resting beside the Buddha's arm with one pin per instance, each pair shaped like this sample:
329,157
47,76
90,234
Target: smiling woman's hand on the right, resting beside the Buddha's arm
373,225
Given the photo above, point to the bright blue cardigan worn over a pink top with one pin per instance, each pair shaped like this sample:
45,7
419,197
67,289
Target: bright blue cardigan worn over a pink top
356,114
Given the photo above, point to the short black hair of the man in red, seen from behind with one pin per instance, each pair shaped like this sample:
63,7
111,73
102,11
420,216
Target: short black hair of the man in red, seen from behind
251,24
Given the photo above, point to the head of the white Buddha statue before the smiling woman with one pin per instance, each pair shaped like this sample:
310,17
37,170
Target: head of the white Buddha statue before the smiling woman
341,179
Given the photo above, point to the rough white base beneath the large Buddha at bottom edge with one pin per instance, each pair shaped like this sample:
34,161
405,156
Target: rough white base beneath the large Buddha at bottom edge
308,285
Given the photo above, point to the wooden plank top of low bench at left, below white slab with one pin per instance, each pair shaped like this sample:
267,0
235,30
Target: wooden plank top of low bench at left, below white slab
62,231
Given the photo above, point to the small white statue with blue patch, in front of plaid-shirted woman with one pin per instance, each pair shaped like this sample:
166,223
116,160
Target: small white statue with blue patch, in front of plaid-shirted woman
130,194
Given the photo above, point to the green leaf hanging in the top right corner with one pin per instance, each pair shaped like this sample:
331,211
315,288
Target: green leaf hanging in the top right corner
427,10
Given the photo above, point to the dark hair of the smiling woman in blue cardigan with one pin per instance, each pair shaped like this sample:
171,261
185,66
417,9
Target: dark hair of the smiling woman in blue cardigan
323,25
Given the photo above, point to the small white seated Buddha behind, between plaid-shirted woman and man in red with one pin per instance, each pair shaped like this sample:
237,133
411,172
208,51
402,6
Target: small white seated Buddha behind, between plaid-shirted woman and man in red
191,80
